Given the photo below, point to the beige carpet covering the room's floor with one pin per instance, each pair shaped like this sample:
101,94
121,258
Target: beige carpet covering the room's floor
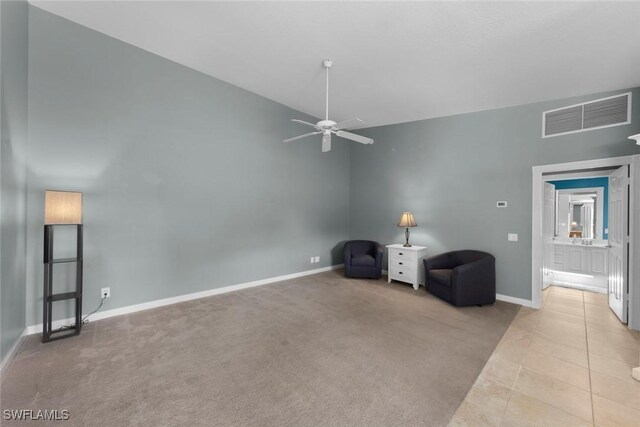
319,350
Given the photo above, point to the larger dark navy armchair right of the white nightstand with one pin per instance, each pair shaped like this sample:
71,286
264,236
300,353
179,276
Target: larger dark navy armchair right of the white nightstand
462,277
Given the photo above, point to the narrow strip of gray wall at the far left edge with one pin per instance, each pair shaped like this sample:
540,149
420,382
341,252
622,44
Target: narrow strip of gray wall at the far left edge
13,125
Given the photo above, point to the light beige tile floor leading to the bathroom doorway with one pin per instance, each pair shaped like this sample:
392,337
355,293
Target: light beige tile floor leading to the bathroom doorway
568,364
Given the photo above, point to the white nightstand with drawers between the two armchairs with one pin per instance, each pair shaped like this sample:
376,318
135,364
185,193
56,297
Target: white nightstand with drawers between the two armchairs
405,264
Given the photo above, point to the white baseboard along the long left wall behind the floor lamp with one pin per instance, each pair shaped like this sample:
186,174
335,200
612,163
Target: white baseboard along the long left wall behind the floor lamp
35,329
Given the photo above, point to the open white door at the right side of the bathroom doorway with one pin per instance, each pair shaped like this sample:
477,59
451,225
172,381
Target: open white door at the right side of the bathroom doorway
618,239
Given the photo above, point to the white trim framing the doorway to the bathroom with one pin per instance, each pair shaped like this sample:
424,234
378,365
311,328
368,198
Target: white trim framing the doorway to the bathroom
537,246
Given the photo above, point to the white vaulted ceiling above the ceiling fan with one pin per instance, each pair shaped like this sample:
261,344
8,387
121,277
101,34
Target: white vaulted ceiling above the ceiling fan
393,61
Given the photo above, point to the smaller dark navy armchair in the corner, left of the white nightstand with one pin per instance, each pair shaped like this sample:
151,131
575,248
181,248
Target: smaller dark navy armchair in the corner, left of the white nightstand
363,259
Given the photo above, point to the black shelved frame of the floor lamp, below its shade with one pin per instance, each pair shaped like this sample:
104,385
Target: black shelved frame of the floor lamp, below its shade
49,297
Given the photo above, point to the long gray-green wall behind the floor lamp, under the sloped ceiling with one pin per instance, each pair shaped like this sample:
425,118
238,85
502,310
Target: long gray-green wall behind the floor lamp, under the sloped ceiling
187,185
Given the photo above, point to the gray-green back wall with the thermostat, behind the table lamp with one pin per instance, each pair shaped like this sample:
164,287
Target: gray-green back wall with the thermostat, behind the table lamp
450,172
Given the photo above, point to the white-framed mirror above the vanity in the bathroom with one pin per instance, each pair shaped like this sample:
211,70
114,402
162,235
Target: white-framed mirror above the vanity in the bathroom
579,213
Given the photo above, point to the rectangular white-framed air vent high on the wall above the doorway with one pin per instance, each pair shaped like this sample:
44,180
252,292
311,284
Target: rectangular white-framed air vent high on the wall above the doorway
601,113
